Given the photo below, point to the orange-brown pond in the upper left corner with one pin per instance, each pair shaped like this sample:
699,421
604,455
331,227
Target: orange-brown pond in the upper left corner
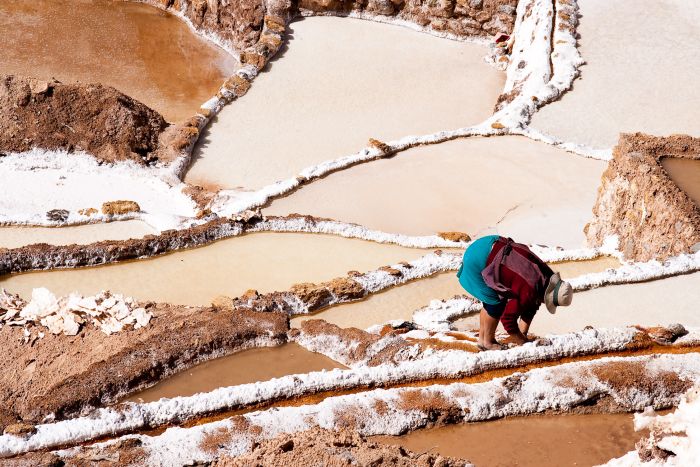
142,51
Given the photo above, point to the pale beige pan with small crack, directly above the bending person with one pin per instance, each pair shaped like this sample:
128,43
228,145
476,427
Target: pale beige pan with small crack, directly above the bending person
508,185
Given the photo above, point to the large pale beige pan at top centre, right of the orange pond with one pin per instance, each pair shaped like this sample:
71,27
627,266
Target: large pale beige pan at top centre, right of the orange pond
340,82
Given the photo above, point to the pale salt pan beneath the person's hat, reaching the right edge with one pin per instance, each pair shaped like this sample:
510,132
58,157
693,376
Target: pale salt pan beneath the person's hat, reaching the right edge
665,301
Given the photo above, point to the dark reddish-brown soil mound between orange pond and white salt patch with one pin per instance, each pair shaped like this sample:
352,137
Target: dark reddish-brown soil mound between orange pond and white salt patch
75,117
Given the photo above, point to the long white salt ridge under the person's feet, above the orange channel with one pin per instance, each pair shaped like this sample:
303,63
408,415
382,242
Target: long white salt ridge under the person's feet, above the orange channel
432,364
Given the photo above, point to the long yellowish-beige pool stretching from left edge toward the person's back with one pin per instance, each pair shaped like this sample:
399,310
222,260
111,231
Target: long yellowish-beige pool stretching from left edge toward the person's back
262,261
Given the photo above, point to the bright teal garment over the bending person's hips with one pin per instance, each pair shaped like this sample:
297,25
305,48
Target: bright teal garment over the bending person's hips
470,273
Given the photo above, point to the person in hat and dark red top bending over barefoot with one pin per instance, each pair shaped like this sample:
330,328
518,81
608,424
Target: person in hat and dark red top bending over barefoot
511,282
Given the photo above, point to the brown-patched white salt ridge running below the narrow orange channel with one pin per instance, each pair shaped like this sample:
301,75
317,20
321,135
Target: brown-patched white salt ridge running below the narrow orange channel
525,393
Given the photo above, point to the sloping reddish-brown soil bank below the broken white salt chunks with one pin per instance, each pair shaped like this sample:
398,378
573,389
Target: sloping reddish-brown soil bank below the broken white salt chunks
63,374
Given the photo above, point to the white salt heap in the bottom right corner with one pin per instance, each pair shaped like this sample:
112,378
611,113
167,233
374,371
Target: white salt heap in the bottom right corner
677,433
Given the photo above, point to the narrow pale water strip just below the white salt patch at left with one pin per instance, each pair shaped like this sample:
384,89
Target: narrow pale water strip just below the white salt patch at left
12,237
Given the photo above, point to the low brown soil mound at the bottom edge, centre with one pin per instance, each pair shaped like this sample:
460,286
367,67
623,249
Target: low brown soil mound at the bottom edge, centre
328,448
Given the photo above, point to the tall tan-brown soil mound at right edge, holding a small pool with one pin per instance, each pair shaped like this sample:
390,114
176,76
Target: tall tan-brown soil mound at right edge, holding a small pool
639,202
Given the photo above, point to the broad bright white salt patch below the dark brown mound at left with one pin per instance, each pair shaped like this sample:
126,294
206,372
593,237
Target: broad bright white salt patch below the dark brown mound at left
38,181
